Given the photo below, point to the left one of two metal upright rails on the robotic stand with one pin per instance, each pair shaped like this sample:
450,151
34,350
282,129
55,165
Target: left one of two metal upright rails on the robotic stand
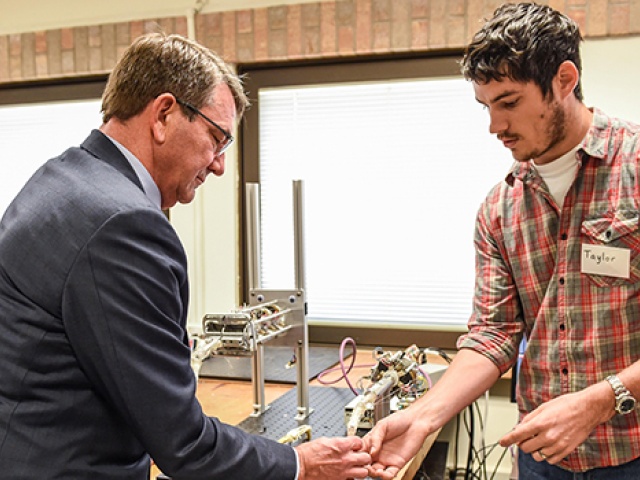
253,281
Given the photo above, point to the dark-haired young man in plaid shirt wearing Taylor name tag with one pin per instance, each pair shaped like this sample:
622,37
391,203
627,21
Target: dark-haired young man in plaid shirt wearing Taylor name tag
557,261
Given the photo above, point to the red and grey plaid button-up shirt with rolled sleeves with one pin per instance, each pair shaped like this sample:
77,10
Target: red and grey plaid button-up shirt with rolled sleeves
580,327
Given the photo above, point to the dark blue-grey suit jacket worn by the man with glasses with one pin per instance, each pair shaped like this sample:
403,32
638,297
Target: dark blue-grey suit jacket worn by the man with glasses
94,359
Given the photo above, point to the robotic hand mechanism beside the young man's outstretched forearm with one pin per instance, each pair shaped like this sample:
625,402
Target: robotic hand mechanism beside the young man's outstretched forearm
396,381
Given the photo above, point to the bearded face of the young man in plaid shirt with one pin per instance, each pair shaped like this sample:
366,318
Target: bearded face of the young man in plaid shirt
528,124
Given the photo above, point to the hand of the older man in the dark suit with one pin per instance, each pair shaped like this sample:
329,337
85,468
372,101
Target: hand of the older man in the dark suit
338,458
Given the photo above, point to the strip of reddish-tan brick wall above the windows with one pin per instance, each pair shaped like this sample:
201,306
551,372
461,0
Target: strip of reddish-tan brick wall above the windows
291,32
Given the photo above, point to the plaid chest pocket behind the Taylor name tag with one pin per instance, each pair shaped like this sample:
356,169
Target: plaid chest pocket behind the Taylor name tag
620,231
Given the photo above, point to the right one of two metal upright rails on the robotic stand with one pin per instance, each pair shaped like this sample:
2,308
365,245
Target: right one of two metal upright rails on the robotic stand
303,344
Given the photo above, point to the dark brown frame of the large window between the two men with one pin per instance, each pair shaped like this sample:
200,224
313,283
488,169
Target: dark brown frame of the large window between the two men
436,64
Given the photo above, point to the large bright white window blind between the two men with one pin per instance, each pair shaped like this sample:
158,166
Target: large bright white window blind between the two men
393,173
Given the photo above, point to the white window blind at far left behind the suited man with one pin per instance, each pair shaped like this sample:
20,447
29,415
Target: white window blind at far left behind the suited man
31,134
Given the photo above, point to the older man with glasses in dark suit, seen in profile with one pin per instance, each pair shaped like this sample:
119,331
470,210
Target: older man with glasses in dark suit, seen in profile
95,360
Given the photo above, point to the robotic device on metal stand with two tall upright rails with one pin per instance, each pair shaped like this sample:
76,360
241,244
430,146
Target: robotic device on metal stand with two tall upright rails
277,317
